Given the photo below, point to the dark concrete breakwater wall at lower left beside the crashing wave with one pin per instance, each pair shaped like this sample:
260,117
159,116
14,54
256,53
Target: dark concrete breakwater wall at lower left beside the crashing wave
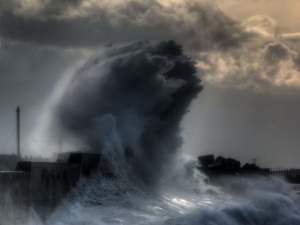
41,185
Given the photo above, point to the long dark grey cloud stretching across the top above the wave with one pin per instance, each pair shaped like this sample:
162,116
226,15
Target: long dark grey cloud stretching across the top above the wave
198,25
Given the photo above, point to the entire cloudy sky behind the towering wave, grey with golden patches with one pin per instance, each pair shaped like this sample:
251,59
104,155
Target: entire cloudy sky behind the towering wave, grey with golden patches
247,54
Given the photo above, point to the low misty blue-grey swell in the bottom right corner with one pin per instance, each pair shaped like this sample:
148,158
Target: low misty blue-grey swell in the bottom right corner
261,200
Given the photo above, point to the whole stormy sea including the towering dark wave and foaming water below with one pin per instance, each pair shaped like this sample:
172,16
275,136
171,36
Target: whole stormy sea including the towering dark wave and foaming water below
127,103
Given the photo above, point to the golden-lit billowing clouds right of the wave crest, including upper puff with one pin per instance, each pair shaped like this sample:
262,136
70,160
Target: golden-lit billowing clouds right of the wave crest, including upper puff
270,62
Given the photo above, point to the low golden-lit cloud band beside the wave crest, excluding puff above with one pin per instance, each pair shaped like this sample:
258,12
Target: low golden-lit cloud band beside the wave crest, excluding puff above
270,67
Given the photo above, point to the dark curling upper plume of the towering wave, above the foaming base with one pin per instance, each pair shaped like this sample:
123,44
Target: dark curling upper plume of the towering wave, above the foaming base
131,101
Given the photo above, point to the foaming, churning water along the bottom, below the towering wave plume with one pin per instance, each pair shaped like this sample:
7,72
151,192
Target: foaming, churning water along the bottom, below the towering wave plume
126,200
